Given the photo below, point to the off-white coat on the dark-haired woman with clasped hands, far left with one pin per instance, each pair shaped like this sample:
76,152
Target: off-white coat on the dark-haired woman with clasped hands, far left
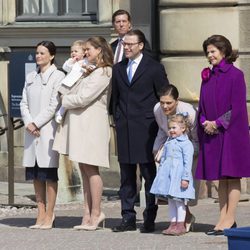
38,105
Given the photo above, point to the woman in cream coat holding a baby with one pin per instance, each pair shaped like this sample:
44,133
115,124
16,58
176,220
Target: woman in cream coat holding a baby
85,132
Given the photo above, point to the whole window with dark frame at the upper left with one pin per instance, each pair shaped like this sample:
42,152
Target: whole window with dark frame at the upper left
56,10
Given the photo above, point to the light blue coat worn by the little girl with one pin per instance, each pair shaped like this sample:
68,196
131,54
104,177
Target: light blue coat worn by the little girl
175,165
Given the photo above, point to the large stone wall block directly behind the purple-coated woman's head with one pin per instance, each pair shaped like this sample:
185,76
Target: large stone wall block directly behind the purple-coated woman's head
184,30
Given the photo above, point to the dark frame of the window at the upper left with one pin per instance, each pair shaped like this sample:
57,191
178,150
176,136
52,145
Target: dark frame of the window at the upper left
61,16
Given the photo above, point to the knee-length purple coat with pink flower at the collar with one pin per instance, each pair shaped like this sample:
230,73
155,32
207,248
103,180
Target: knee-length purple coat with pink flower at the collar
223,99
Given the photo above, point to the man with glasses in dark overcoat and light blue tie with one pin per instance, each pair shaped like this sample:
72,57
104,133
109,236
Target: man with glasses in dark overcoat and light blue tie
135,83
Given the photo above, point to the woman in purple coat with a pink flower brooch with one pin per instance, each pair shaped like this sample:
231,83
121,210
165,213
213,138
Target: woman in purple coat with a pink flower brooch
223,128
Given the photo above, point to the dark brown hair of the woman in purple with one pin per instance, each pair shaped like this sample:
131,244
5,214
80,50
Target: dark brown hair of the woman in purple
223,45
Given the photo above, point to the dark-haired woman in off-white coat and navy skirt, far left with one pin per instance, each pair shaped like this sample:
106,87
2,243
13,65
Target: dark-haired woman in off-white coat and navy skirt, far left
38,106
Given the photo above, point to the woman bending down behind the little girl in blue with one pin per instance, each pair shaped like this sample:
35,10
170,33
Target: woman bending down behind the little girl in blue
169,105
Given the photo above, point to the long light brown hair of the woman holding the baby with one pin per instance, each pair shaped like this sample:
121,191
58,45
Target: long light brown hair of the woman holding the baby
106,54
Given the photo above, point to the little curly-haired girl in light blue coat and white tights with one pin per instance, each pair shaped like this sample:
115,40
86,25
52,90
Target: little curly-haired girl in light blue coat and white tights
174,177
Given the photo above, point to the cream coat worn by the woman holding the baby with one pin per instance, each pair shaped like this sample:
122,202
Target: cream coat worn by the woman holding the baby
85,133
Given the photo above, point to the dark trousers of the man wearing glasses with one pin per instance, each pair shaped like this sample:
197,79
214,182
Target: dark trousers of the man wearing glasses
128,192
